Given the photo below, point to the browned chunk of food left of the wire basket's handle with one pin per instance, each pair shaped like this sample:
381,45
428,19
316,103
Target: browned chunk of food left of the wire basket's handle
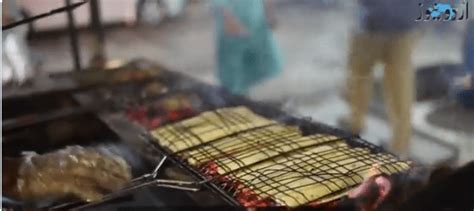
84,173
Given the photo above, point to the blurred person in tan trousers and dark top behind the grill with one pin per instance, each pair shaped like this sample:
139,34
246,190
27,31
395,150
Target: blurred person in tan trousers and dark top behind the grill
386,34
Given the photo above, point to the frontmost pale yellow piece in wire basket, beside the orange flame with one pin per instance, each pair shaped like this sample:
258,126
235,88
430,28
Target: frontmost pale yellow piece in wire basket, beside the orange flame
314,174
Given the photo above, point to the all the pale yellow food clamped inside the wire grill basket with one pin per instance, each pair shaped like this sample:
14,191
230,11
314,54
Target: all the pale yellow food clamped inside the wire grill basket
266,163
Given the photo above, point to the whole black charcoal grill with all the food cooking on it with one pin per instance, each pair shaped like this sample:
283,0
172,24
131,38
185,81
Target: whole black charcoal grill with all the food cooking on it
232,150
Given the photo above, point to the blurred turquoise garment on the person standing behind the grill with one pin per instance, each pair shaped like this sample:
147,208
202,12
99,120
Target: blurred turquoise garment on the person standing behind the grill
244,61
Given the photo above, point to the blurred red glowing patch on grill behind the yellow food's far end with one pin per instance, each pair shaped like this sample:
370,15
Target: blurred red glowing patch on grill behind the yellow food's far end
168,109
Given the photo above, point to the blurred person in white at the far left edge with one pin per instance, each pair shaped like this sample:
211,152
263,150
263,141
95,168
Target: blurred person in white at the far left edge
16,66
